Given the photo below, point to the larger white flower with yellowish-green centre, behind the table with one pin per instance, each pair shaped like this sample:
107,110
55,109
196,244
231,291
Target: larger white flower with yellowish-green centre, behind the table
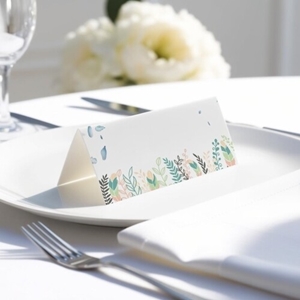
155,44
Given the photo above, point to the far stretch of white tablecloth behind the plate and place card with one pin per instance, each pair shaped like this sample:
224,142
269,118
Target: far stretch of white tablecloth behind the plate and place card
265,102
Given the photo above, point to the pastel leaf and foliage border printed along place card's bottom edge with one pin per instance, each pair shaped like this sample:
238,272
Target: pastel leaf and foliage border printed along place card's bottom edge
124,184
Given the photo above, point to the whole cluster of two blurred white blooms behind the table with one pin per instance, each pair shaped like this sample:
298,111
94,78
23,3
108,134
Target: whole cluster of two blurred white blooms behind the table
148,43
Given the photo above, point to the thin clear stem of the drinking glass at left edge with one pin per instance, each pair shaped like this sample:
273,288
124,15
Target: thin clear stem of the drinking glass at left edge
5,119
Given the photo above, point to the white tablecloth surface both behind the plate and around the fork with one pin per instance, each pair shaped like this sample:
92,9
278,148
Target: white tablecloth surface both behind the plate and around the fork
25,271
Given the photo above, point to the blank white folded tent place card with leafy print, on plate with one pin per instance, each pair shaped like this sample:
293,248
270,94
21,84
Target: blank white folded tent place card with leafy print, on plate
110,162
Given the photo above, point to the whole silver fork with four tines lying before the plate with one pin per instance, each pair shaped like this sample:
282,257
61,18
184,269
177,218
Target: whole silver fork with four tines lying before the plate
66,255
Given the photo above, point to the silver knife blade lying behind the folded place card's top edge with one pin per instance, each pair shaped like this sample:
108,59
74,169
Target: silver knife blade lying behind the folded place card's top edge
117,107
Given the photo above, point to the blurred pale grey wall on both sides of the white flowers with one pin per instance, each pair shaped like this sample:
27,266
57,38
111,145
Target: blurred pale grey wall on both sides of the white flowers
258,38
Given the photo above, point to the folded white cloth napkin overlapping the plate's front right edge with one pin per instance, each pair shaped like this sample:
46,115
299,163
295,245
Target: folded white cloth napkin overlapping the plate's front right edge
250,236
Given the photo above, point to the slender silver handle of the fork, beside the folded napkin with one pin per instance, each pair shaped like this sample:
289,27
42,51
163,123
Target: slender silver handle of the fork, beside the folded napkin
176,293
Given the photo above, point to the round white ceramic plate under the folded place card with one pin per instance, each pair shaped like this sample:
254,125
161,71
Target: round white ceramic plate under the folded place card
30,168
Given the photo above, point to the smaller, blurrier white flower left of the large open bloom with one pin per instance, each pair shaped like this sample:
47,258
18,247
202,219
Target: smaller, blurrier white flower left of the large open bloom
89,58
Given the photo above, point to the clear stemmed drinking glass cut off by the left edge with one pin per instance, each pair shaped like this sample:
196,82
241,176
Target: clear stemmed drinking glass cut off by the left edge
17,25
